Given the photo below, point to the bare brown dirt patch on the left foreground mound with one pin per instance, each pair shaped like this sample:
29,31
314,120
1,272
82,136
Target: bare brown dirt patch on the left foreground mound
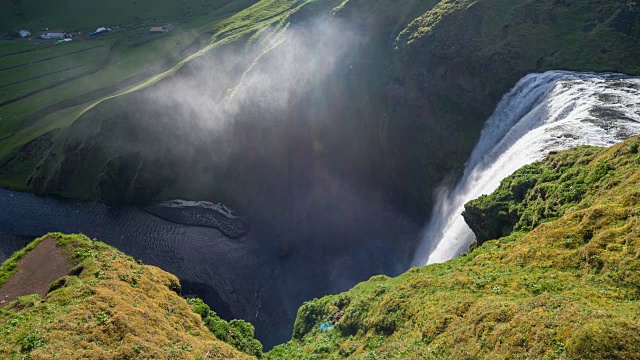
36,271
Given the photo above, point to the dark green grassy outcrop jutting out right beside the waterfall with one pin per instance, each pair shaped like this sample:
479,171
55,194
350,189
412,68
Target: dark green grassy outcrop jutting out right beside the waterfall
535,194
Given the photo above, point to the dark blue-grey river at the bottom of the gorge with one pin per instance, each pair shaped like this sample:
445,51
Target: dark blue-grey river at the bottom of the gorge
254,277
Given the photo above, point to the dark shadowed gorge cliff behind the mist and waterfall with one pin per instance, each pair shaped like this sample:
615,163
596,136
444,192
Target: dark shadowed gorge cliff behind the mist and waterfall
391,101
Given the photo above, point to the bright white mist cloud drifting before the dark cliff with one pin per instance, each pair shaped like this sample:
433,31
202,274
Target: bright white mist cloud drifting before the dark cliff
256,81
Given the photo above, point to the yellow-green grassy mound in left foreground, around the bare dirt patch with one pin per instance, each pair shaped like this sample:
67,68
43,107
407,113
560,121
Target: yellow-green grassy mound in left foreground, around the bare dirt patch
111,307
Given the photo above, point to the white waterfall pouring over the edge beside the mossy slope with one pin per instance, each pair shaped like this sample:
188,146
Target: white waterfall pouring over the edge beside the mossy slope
556,110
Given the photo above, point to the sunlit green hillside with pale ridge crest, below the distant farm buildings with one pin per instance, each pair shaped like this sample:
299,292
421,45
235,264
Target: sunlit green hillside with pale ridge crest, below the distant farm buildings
124,54
